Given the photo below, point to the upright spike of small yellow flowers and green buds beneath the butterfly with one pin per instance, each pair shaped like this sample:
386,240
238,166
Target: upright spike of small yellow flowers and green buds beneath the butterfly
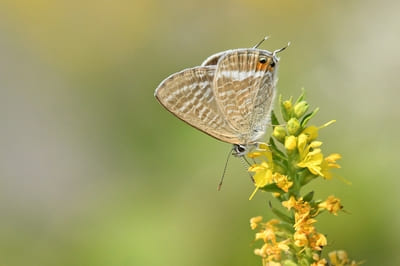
292,158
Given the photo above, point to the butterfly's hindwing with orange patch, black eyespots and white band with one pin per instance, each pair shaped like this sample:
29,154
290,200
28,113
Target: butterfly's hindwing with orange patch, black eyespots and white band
244,89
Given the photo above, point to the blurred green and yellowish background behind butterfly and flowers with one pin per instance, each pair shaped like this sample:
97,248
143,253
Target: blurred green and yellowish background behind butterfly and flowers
94,171
